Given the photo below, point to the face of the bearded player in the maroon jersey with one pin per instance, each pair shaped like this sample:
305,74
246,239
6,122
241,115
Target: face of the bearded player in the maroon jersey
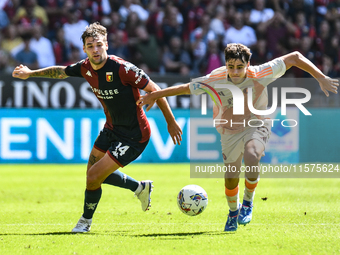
96,50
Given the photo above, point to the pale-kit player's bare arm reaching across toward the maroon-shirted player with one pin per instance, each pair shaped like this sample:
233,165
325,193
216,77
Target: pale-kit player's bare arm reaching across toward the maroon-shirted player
155,95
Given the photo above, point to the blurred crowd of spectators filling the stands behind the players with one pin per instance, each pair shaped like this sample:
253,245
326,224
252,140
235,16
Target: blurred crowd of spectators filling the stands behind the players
182,37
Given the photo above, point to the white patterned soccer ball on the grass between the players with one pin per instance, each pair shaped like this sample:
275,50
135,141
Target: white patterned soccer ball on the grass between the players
192,200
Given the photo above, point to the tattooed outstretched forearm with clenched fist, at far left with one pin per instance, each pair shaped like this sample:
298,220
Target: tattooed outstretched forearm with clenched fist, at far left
23,72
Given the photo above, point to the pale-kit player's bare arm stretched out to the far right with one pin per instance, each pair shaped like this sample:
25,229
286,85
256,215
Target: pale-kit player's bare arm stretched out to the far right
297,59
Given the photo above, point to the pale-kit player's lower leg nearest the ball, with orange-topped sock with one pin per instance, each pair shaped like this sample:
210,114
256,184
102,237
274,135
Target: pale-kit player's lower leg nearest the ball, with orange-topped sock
231,182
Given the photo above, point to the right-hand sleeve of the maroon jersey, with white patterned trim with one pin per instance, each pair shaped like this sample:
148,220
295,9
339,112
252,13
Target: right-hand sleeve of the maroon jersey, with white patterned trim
131,75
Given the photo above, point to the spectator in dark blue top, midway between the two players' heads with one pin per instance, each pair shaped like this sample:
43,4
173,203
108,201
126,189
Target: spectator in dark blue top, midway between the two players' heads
176,59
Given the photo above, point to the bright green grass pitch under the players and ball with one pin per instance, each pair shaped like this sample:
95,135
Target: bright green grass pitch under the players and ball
40,204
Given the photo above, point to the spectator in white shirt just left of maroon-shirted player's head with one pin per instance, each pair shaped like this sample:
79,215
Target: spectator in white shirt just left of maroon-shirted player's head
73,30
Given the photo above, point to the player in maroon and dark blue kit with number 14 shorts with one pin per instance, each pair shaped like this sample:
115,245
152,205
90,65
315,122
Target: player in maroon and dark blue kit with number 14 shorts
126,133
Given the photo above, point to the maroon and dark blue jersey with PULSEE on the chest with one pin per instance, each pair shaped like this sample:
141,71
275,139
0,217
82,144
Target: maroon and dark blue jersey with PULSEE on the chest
116,85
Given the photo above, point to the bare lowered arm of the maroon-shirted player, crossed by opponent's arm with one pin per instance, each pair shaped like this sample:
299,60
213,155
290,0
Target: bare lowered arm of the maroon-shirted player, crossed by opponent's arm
173,127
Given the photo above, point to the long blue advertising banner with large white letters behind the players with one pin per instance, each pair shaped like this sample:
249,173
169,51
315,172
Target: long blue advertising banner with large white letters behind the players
67,136
